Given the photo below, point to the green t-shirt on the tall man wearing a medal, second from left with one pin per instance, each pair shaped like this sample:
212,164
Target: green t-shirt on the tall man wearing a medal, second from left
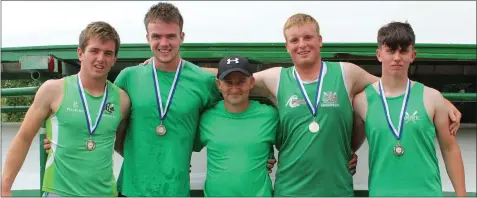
159,165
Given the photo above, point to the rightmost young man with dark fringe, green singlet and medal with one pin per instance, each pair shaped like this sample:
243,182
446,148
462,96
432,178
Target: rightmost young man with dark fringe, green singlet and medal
401,120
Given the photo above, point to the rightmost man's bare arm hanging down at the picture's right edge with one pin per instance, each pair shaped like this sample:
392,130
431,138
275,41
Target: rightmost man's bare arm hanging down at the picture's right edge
448,143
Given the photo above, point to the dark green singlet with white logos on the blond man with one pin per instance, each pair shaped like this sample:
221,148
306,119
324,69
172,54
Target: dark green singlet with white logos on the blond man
314,164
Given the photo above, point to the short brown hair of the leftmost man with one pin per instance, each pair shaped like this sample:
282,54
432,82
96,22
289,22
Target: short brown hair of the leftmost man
103,31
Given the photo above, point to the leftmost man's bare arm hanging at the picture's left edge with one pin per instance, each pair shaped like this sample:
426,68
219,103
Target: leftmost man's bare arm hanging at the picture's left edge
35,116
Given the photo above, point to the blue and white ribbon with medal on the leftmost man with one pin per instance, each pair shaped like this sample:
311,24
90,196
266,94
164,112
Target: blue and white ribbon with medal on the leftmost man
90,144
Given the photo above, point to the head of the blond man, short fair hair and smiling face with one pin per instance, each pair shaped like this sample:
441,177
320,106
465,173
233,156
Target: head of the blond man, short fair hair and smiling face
303,41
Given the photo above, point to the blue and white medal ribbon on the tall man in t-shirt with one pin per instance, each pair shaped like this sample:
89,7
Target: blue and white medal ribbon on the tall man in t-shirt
163,111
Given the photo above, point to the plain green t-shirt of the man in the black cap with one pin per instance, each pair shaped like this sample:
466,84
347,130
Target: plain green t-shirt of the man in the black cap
238,147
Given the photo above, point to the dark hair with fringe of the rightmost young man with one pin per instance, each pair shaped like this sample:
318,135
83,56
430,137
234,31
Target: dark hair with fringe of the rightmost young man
396,35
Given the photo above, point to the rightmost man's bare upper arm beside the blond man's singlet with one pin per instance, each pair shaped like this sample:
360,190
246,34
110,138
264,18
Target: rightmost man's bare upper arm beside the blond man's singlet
360,105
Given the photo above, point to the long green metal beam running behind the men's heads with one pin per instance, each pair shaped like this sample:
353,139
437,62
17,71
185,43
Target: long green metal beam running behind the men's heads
263,52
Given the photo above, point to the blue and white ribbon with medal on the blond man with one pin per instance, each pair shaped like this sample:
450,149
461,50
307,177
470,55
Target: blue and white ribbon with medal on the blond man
314,126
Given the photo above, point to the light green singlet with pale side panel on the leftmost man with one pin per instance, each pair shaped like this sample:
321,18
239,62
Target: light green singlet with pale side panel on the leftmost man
71,169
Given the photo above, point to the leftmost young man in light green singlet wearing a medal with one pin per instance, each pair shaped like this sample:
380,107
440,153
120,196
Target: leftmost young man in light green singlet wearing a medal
82,113
